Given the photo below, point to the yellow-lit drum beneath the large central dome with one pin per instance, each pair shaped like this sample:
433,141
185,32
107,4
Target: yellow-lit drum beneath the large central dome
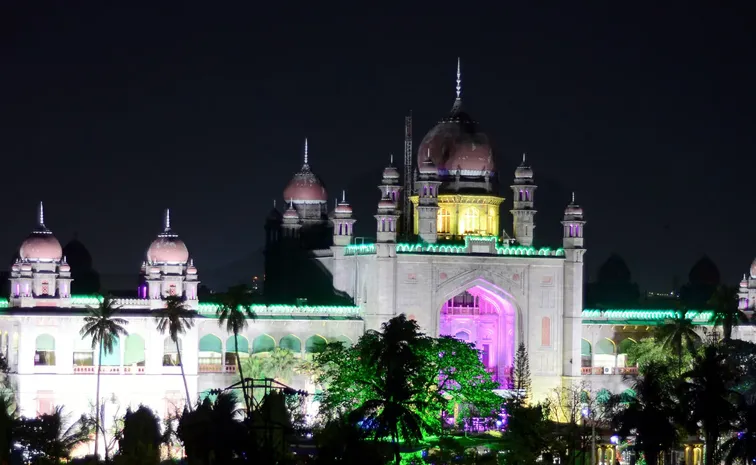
464,215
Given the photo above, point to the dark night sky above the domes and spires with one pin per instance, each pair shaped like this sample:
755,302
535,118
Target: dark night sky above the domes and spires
109,114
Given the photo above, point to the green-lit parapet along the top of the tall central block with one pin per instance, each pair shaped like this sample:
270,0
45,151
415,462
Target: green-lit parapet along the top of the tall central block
420,247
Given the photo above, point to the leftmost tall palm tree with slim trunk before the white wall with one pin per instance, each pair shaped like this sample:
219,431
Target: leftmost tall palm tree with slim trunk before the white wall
102,325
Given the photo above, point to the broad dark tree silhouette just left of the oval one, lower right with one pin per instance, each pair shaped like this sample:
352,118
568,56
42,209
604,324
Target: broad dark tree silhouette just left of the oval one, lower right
650,414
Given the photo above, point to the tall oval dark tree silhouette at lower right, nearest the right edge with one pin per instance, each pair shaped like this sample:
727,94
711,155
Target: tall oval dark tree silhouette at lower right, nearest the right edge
709,398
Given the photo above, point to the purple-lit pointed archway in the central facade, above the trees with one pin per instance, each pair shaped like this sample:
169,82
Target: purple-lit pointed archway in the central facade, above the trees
481,316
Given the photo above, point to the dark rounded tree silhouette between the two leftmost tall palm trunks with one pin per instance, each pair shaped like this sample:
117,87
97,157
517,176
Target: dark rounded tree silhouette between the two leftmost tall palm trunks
141,438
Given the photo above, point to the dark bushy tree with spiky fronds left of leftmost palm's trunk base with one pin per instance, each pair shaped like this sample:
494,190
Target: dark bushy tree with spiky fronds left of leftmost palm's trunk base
49,439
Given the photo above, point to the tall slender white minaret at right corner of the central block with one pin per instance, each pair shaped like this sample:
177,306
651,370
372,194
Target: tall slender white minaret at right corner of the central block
572,321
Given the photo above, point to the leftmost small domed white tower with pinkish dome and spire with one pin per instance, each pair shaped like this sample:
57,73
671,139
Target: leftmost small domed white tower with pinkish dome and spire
41,276
